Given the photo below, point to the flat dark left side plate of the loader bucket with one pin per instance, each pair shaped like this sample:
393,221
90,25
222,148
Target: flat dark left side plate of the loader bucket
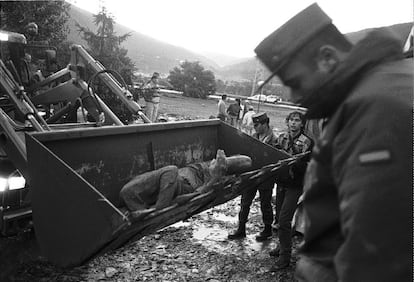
72,217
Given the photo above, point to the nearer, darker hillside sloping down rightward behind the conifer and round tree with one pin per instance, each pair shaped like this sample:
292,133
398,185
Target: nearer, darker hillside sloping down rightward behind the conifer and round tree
148,54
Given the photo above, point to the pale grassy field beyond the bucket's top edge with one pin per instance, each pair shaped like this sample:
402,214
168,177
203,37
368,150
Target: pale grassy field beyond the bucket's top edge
194,108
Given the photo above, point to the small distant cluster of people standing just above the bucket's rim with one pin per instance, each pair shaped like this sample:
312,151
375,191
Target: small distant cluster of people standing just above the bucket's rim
237,114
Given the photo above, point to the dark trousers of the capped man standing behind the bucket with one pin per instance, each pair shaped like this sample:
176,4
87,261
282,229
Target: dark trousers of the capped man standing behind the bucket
265,194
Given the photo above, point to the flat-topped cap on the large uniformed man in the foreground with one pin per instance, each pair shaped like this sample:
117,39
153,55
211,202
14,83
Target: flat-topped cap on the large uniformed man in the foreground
279,47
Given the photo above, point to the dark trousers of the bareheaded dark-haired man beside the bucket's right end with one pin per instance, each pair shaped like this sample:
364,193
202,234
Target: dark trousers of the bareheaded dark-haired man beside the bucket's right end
286,203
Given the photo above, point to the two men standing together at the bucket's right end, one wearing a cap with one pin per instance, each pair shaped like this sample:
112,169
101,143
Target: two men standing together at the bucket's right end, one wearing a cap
289,186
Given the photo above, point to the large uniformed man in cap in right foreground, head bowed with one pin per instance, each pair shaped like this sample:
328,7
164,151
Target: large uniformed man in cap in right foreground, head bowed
358,192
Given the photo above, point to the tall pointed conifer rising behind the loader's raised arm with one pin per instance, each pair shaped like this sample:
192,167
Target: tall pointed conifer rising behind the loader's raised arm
105,46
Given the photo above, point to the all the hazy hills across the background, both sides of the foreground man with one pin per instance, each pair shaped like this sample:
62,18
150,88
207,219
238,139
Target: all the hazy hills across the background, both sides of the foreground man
152,55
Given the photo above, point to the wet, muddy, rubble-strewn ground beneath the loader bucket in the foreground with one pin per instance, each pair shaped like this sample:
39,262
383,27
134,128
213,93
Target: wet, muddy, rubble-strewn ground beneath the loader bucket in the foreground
194,250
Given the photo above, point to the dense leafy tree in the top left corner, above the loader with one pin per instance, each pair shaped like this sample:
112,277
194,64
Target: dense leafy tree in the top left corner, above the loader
50,16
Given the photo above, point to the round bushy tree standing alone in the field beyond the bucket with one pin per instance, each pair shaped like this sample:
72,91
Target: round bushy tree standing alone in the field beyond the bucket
193,80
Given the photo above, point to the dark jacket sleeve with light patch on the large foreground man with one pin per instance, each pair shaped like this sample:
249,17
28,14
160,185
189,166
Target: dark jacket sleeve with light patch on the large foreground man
372,168
